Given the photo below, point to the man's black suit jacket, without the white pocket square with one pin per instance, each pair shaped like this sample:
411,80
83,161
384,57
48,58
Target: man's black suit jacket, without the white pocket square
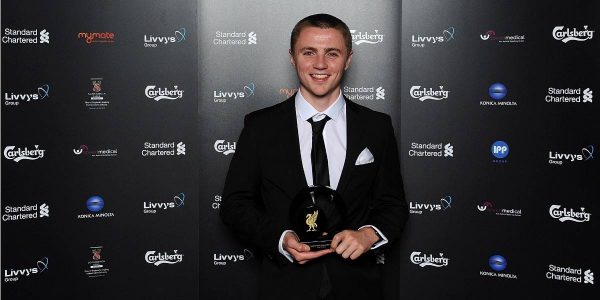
266,173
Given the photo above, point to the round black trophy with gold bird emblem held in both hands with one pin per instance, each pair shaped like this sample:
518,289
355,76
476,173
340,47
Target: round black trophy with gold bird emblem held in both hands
317,213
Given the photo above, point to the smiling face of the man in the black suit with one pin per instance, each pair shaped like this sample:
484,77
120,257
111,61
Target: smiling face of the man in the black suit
320,58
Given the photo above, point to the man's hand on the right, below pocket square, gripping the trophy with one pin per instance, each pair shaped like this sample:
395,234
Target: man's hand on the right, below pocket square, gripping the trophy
353,243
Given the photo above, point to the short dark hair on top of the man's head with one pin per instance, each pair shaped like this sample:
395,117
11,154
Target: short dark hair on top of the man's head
323,21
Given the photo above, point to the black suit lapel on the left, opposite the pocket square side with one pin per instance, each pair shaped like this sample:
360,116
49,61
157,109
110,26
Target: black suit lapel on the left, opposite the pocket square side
290,147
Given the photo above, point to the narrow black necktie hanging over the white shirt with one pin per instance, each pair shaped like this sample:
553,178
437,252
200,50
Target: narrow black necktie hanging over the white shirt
318,154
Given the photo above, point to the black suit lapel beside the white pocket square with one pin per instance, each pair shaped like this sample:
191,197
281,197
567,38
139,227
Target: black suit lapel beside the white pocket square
354,136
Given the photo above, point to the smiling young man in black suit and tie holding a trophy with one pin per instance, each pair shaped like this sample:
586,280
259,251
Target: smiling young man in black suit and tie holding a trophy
276,158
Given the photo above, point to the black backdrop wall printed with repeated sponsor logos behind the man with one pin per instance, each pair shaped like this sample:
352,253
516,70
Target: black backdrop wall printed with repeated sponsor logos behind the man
119,121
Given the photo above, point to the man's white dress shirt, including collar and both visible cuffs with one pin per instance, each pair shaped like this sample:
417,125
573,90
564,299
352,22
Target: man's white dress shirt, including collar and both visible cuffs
335,138
